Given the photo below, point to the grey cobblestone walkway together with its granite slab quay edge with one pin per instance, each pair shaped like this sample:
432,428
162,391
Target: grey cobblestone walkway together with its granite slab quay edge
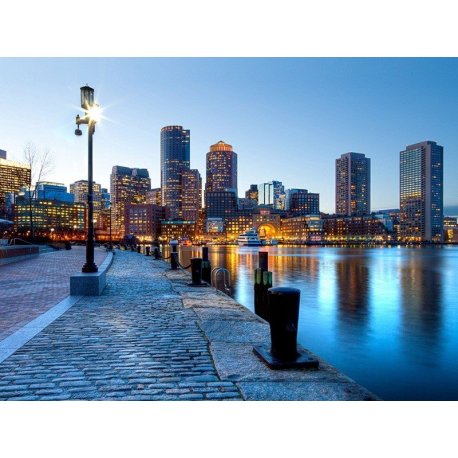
150,336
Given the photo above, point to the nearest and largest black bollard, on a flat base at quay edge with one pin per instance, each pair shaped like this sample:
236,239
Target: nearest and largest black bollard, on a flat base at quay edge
283,309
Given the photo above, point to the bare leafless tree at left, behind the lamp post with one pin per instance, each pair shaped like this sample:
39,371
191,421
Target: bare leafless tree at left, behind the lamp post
40,163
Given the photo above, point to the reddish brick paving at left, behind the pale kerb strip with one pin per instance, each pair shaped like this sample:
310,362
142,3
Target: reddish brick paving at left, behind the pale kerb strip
31,287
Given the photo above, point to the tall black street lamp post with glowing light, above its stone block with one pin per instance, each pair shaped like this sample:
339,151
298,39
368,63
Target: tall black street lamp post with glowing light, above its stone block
91,113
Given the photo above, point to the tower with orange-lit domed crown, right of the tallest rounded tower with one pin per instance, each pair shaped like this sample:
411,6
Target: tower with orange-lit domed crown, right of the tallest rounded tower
221,169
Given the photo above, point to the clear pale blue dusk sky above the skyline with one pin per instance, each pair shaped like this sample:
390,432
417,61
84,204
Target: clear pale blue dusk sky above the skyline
288,119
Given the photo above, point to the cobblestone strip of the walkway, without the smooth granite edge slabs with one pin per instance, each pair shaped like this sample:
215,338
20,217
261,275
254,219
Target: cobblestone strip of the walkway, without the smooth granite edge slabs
135,342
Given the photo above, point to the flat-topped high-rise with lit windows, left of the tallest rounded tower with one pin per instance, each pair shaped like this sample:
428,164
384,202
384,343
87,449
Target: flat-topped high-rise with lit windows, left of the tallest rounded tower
127,186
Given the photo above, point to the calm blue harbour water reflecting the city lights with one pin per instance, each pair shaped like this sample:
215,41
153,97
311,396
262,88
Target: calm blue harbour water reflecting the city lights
387,317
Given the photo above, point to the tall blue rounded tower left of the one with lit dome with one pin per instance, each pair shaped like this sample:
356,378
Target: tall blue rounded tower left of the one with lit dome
175,159
